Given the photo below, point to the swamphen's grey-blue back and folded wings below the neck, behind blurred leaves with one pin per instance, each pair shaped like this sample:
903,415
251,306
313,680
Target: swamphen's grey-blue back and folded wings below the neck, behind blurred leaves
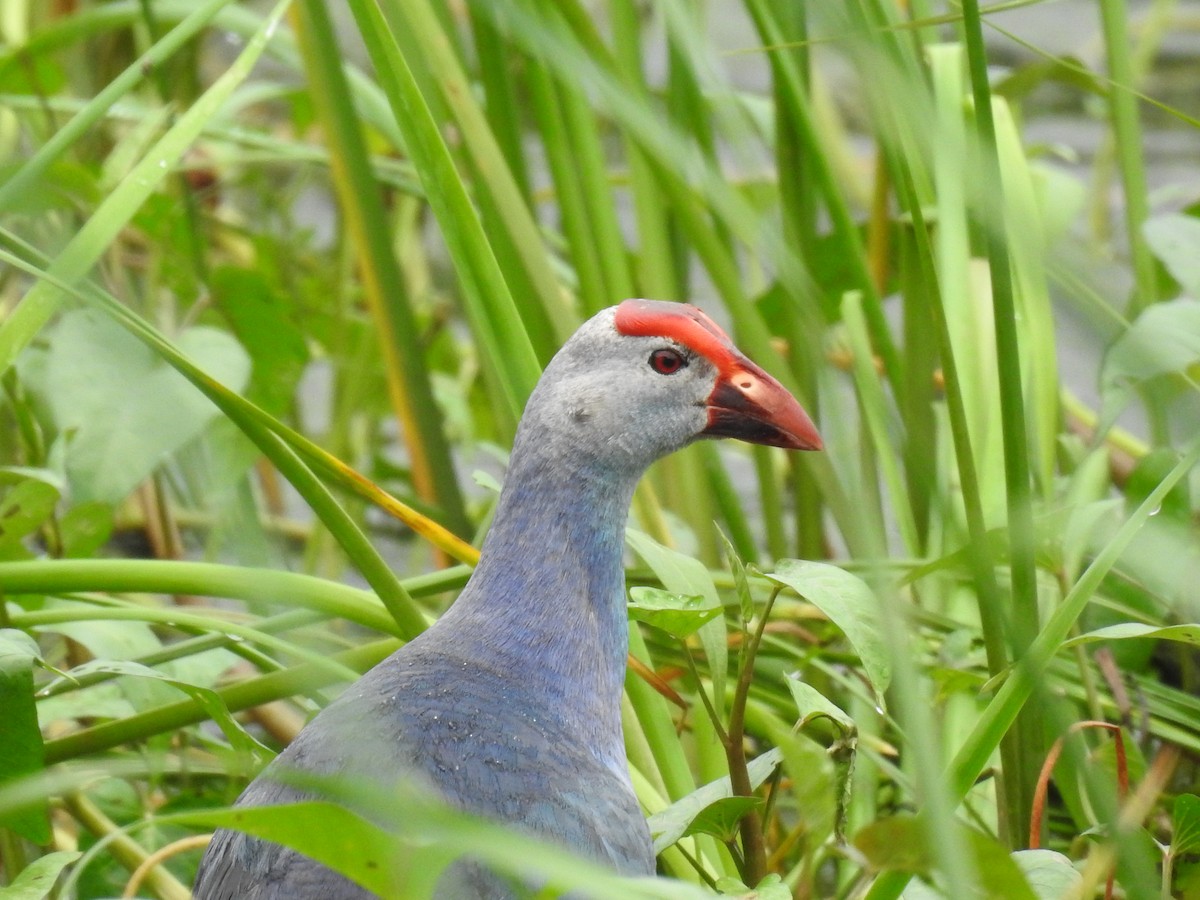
473,734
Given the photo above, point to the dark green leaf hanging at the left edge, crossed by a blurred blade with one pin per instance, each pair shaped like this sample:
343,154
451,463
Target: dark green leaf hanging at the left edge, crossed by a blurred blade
21,740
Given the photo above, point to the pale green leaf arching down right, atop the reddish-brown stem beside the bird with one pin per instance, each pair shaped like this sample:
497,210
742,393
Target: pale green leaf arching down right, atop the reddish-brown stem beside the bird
851,605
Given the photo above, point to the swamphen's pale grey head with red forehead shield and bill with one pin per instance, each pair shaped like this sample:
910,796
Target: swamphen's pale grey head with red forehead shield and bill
647,377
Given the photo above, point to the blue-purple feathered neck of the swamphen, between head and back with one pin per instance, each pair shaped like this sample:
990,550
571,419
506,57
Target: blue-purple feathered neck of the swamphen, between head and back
547,603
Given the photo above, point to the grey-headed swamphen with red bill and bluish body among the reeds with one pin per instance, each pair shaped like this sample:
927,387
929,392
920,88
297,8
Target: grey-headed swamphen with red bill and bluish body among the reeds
511,705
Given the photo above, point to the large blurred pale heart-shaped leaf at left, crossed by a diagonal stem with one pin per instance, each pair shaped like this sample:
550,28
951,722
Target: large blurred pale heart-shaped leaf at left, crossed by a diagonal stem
124,407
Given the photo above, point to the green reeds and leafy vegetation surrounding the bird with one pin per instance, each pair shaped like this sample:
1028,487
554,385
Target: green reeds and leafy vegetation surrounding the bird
249,251
